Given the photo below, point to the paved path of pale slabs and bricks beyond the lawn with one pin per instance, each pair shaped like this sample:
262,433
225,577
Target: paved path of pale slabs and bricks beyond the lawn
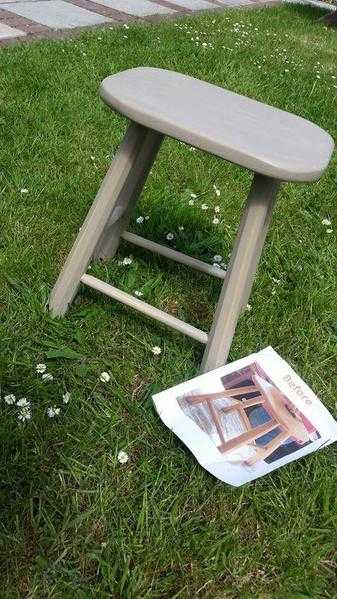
28,19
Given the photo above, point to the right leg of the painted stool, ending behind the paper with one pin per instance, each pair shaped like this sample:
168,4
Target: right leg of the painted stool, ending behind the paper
243,264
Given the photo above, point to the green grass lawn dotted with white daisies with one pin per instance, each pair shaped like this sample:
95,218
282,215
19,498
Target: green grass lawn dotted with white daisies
75,522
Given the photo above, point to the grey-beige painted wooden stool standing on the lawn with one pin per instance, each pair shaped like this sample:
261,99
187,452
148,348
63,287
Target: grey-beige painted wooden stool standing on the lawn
275,145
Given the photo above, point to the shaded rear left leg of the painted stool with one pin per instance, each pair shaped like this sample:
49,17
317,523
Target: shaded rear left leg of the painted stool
119,219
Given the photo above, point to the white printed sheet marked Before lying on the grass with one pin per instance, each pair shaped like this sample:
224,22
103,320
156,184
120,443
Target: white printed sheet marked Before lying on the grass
247,418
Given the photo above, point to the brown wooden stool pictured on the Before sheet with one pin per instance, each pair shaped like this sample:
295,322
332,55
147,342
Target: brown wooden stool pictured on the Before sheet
282,419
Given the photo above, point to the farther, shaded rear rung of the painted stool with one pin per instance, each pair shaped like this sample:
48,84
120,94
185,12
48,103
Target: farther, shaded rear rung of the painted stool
174,255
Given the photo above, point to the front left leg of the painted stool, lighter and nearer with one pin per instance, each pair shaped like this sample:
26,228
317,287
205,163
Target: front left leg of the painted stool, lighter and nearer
119,173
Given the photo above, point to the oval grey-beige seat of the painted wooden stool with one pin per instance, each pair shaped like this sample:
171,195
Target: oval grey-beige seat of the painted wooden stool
256,136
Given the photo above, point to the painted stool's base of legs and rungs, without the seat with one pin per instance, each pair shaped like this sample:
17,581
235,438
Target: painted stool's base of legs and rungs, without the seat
106,224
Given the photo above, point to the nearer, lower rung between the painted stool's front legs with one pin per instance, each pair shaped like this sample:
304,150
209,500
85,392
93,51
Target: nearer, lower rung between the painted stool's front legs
144,308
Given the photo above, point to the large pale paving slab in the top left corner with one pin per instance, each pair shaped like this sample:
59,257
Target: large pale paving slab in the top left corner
55,14
